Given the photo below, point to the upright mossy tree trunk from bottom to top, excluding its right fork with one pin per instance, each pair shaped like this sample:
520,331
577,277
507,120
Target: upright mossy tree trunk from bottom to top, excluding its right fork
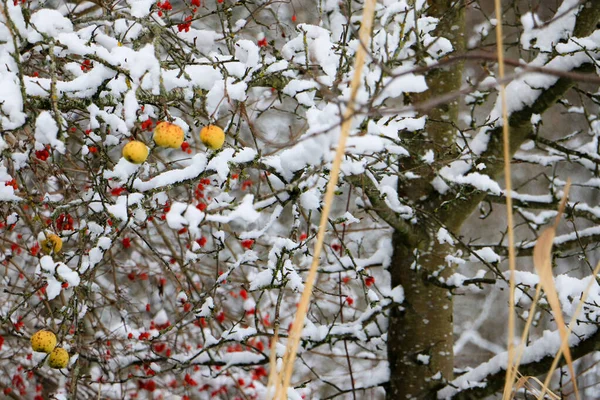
420,335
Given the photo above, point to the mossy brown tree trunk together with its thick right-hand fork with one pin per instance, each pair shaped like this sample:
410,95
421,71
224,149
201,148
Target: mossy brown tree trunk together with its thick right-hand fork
423,325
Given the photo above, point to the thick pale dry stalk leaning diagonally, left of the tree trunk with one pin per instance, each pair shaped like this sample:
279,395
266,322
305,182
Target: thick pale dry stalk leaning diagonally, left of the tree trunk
282,380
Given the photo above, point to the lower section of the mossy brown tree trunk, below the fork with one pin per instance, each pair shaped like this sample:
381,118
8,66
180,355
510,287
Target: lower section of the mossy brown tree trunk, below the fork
420,333
